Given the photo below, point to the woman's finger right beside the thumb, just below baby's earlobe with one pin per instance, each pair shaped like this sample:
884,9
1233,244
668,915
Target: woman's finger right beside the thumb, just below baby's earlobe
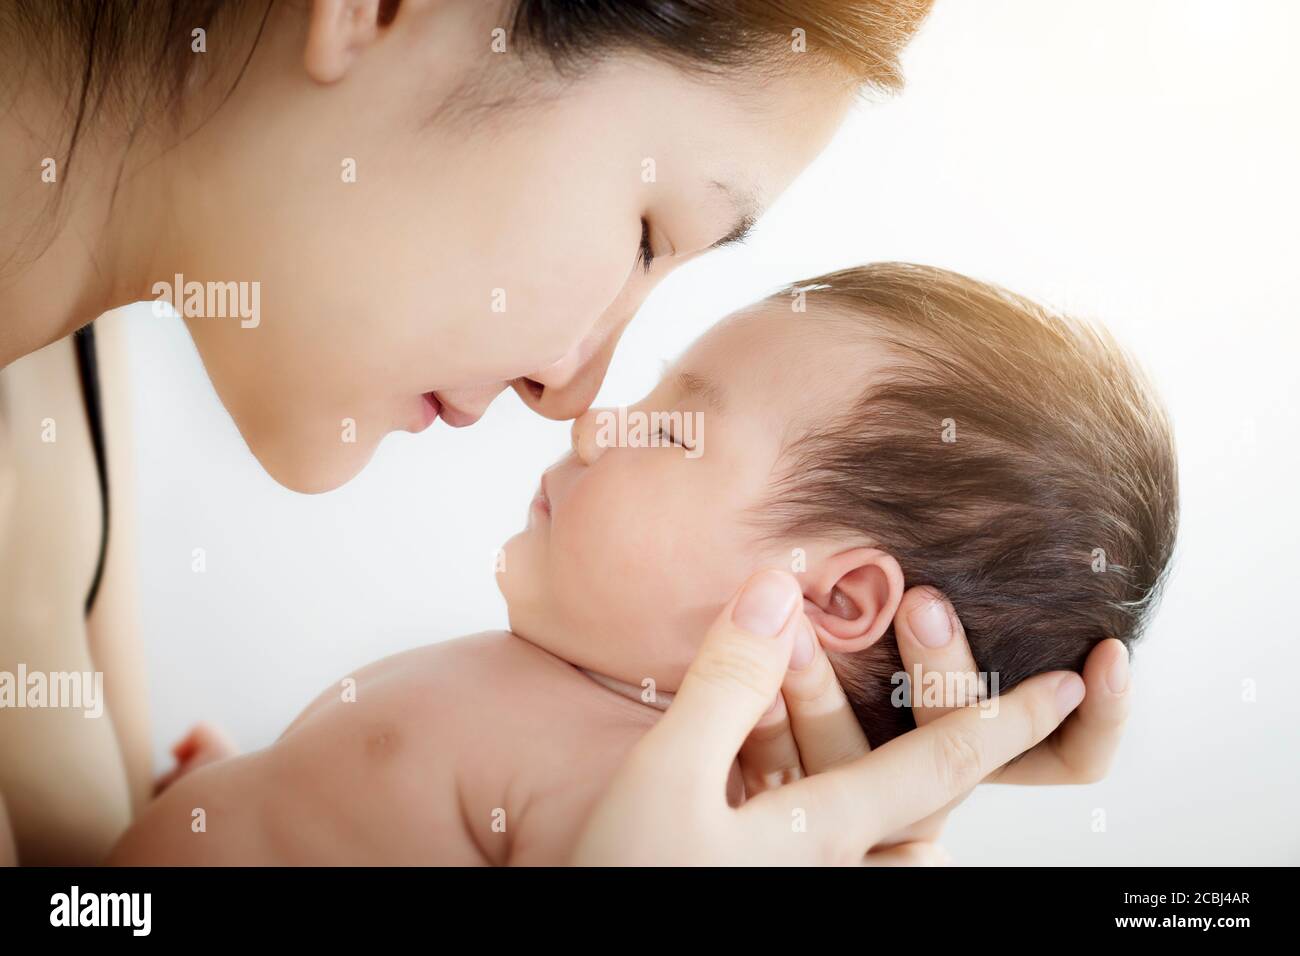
826,730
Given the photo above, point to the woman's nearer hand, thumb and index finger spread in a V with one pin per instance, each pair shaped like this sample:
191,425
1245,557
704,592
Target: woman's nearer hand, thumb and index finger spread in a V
668,804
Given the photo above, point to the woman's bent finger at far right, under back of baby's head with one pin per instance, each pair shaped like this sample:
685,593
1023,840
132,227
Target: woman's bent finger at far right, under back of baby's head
1082,751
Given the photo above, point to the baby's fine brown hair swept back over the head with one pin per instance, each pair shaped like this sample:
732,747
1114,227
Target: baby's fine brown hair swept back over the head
1013,458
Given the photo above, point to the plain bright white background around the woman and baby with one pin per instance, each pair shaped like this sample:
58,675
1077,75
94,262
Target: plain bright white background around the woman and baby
1133,162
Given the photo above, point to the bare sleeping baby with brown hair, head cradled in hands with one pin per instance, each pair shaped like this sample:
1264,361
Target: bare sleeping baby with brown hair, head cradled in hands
878,429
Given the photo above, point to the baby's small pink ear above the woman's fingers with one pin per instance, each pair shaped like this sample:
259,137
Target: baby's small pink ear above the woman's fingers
852,598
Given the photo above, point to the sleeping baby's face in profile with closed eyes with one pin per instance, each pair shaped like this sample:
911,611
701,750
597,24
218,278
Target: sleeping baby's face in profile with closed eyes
631,552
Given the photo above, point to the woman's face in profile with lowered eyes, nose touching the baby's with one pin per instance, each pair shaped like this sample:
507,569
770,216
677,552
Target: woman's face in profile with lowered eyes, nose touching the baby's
492,235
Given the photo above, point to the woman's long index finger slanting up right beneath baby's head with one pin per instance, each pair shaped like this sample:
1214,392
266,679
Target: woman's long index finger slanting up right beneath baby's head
939,762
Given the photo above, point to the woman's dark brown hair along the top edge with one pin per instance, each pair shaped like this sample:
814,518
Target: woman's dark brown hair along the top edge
136,59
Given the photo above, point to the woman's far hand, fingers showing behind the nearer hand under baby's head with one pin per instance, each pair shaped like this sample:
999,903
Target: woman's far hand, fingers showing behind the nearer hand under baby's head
813,729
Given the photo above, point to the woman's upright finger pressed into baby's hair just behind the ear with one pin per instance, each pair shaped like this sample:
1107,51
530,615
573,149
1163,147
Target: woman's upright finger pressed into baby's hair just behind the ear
935,655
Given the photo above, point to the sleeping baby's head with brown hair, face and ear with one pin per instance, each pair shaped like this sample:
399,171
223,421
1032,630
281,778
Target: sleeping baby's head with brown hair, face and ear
877,429
